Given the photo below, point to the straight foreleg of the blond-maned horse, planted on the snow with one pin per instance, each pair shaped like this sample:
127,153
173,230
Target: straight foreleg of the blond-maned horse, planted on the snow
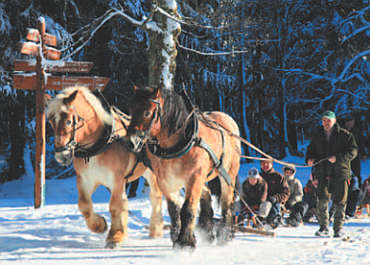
118,208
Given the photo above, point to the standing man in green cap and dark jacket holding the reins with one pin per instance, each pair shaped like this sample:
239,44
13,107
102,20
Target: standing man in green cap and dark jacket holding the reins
338,148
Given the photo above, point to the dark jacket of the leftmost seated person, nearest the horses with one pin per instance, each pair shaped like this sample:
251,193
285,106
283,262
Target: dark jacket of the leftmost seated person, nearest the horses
254,195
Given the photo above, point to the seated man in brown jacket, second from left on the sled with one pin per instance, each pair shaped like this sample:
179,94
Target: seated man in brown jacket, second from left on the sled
278,191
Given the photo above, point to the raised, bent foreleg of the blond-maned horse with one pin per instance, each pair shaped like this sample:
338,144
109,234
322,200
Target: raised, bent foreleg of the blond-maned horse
95,222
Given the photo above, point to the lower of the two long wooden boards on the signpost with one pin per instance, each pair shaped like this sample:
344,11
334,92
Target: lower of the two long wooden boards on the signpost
29,81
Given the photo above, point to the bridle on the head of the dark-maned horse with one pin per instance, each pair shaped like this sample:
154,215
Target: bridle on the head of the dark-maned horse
144,135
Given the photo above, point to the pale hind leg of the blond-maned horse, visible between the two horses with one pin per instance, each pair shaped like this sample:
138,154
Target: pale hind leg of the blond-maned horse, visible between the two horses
156,219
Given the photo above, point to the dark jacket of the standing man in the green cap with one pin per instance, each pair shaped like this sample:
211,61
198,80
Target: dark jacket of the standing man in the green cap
342,145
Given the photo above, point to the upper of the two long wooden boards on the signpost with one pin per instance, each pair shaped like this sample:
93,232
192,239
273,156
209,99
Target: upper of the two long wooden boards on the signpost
54,66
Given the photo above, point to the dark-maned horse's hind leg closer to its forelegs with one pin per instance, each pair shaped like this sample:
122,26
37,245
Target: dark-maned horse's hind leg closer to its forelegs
205,221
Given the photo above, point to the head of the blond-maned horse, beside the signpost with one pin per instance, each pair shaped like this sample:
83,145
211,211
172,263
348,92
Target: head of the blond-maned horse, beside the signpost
76,117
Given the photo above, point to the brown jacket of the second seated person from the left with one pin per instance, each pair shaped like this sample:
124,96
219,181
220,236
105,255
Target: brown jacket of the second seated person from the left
277,186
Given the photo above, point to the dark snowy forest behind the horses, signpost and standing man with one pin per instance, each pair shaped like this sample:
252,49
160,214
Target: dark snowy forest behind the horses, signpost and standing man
274,66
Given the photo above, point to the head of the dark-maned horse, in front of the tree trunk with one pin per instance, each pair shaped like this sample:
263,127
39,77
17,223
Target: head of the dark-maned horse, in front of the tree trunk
145,111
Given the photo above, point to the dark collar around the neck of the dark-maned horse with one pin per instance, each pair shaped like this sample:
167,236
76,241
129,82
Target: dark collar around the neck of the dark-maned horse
183,146
